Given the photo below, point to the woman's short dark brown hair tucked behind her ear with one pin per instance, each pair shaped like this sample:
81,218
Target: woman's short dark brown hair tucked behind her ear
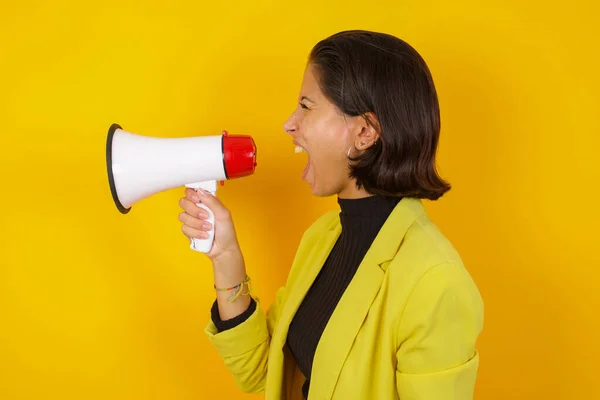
364,72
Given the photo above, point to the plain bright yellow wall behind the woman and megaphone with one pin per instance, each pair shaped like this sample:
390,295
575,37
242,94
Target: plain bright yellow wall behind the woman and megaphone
97,305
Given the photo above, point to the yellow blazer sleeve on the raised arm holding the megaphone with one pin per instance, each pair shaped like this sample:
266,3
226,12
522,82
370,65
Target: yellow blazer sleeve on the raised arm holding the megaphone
245,347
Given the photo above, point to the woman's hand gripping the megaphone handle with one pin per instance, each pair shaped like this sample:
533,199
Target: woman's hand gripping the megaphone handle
195,224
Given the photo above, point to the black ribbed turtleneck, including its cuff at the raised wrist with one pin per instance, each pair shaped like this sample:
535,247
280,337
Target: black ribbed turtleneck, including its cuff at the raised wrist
361,220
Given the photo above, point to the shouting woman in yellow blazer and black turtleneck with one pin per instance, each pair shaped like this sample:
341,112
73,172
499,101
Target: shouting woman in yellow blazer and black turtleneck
378,304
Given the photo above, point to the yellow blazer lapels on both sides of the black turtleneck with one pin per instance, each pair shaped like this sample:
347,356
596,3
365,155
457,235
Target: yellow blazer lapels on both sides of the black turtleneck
352,309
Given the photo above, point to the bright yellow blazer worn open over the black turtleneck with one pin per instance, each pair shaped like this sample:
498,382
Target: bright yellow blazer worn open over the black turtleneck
405,328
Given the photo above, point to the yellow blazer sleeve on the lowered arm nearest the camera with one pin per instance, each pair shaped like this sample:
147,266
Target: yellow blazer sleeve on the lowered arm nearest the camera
437,357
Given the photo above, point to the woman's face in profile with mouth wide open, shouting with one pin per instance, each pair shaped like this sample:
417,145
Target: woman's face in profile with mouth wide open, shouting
325,134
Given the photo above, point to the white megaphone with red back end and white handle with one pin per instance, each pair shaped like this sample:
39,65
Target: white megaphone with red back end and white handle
140,166
